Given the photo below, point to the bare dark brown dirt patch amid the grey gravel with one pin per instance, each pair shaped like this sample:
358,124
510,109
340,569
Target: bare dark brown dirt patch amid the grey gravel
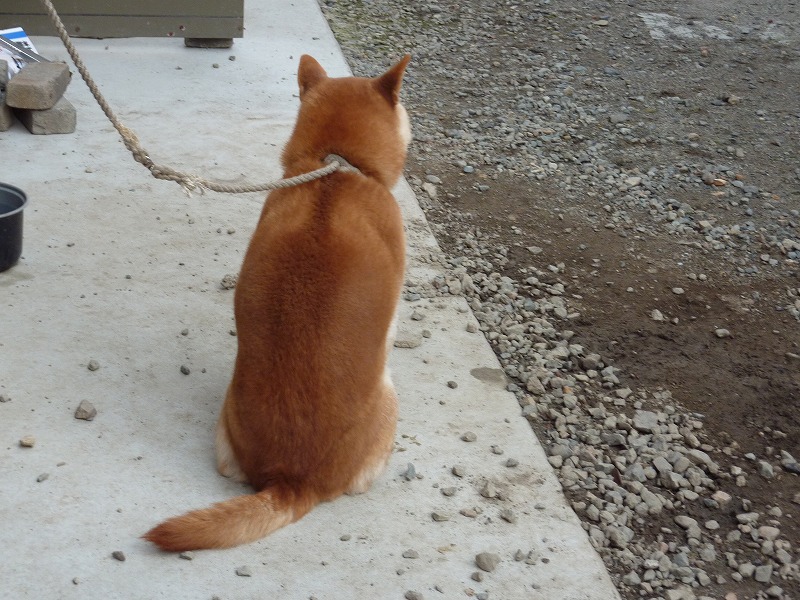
745,385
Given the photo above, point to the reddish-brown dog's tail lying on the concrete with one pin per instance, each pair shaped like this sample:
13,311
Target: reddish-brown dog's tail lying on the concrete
236,521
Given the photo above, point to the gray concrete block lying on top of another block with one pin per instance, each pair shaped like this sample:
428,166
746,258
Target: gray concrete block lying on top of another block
38,86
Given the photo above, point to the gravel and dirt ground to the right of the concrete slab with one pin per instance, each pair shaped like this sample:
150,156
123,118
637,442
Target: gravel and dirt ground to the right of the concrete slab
616,191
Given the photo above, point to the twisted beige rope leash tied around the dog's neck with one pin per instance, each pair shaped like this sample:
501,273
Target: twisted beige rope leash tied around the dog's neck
187,181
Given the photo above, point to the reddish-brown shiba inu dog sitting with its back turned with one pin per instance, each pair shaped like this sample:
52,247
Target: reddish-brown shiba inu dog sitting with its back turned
310,412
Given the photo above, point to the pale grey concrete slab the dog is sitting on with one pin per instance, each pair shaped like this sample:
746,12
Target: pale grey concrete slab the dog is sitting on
124,270
